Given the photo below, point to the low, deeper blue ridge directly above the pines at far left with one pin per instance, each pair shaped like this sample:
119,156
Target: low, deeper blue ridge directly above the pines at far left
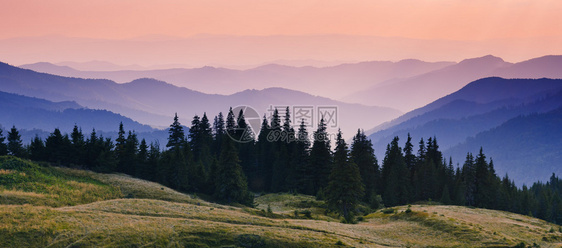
38,117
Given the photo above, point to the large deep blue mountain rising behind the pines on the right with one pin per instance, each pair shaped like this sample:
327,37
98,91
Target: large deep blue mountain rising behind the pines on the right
477,109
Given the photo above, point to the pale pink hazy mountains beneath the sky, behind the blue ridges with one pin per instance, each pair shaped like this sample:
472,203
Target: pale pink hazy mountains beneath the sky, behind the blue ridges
404,85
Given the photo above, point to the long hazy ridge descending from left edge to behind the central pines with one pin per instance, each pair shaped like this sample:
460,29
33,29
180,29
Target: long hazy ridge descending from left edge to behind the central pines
154,102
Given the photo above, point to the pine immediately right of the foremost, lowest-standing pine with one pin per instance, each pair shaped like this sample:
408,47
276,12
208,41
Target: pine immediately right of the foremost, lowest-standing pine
363,155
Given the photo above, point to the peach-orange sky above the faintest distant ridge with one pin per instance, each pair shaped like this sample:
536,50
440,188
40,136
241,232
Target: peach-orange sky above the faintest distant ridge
498,21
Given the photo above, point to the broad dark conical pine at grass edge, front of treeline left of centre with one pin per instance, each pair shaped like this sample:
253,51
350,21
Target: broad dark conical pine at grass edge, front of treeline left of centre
230,184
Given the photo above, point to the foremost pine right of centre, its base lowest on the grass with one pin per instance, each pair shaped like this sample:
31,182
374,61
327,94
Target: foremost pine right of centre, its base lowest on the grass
345,188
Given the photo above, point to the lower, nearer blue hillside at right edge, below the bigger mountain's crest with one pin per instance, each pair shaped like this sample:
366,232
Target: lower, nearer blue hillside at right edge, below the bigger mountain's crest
526,147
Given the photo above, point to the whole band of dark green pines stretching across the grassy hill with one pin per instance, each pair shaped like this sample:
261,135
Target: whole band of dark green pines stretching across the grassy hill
227,161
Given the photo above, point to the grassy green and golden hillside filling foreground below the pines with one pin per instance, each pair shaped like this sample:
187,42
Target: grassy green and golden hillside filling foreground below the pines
42,206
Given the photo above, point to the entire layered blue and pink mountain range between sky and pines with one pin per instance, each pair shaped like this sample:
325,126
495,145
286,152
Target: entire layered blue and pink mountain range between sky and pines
514,116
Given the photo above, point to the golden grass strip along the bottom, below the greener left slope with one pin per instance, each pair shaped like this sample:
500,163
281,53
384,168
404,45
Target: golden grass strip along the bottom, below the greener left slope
139,222
